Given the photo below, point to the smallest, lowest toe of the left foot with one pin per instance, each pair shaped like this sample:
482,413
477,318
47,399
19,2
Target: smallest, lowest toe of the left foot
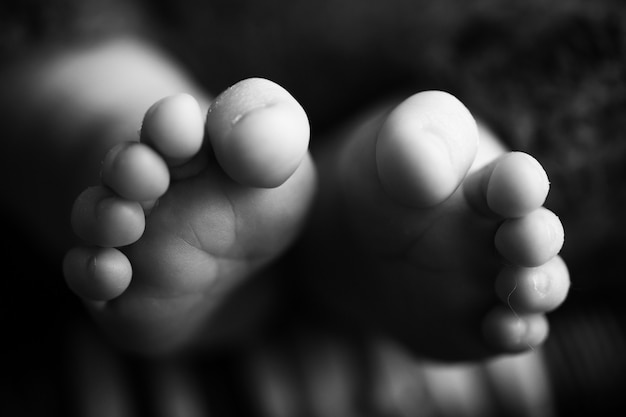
97,273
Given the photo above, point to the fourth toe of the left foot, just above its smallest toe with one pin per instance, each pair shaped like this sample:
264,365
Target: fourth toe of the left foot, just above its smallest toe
102,218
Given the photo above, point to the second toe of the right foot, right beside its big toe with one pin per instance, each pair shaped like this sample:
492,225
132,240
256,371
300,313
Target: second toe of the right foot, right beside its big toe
513,185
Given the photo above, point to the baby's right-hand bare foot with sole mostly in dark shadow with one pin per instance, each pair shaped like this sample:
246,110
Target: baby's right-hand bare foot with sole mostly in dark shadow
428,222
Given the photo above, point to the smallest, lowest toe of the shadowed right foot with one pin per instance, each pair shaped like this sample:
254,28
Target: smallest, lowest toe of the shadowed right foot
508,331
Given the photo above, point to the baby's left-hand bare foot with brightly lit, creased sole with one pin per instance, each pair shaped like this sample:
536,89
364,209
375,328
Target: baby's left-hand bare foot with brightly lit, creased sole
180,221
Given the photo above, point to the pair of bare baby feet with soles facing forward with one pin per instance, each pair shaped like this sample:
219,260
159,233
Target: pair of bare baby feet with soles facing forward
424,228
